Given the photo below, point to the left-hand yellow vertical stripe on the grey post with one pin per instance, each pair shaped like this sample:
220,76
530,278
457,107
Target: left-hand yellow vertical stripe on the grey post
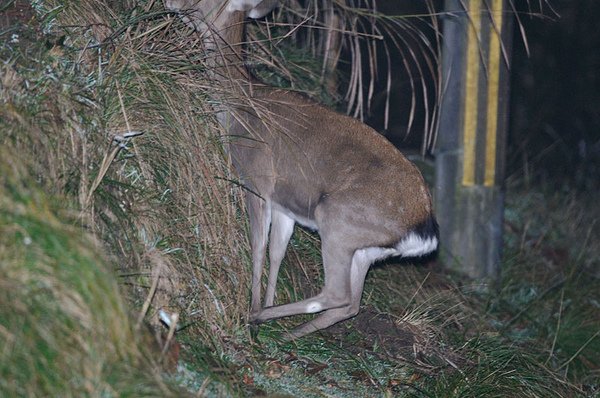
471,93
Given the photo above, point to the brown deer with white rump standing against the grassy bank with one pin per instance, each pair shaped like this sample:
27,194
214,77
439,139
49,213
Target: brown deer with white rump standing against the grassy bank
302,163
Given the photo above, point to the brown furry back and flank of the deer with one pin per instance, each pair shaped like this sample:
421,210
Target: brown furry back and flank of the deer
302,155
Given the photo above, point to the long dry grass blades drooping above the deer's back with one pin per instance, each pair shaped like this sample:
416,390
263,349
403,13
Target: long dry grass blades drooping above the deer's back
355,37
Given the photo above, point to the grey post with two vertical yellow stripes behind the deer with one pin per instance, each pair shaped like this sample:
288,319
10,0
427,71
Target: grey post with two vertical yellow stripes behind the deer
469,192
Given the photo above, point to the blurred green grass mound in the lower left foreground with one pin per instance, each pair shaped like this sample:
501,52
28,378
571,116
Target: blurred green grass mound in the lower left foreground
64,328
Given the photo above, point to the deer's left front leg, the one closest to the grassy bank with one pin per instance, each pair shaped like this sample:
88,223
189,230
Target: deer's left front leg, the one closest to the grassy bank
259,214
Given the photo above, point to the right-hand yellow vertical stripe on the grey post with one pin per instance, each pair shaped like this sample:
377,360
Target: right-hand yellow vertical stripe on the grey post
492,100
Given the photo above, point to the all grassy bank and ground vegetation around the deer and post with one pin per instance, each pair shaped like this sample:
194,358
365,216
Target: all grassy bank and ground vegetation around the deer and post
116,202
